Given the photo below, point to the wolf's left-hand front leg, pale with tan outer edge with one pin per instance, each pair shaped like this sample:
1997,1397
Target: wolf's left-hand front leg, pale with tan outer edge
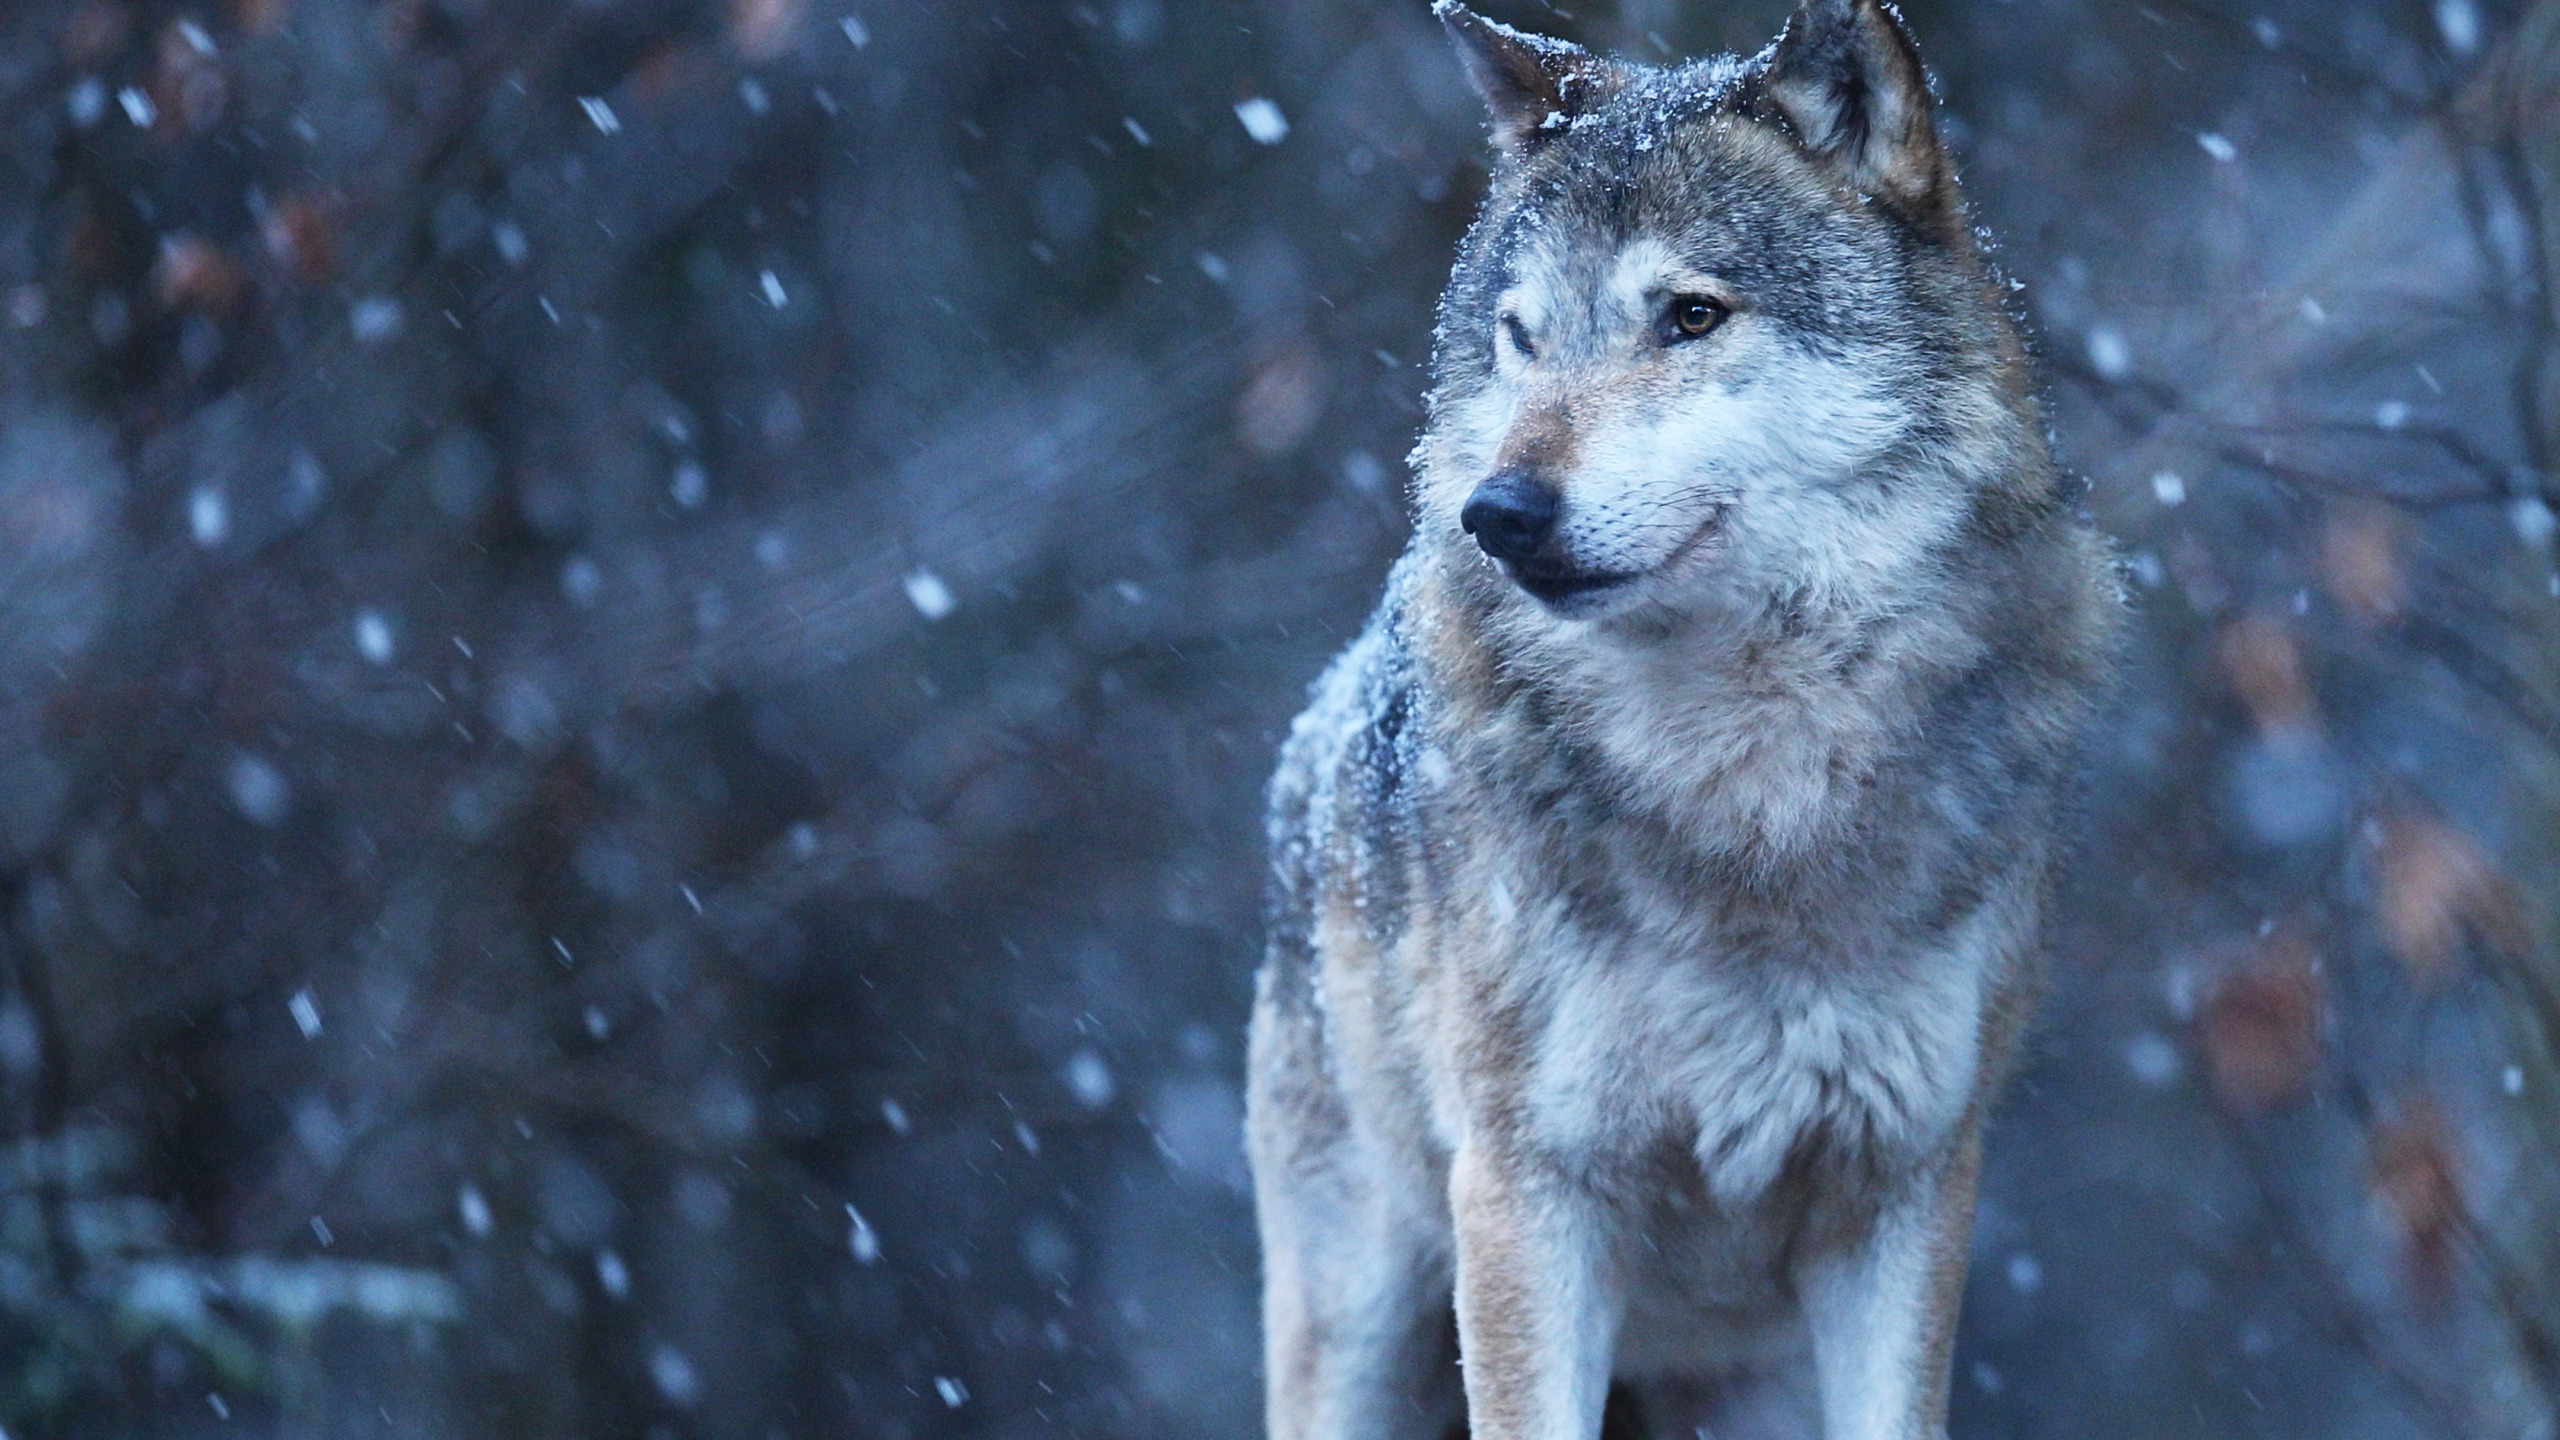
1537,1298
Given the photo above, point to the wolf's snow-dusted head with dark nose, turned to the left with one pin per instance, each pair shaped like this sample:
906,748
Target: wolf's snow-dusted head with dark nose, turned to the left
1722,334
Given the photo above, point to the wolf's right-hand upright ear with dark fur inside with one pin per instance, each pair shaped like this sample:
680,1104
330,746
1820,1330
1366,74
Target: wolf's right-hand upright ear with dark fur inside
1850,83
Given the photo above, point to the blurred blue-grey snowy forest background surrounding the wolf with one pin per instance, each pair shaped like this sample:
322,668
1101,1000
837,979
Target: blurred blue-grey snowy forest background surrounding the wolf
639,644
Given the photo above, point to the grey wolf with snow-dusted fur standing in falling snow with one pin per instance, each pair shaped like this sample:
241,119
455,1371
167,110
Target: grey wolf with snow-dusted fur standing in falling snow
1658,878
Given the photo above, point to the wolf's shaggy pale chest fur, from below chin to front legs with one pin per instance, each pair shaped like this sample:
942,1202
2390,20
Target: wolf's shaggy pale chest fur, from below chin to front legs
1711,934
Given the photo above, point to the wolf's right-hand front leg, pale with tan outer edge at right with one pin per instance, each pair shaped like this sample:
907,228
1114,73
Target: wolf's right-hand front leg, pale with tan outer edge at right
1883,1308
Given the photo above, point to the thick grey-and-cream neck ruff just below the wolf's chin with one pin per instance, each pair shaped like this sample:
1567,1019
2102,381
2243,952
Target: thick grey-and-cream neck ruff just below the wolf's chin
1747,739
